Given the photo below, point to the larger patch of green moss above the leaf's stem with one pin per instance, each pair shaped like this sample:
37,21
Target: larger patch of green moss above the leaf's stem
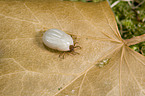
131,18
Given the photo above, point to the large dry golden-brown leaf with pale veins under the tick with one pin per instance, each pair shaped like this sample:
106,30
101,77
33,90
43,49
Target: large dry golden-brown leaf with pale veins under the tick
28,68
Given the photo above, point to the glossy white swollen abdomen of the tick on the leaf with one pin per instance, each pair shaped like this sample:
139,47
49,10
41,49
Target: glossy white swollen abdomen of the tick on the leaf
57,39
